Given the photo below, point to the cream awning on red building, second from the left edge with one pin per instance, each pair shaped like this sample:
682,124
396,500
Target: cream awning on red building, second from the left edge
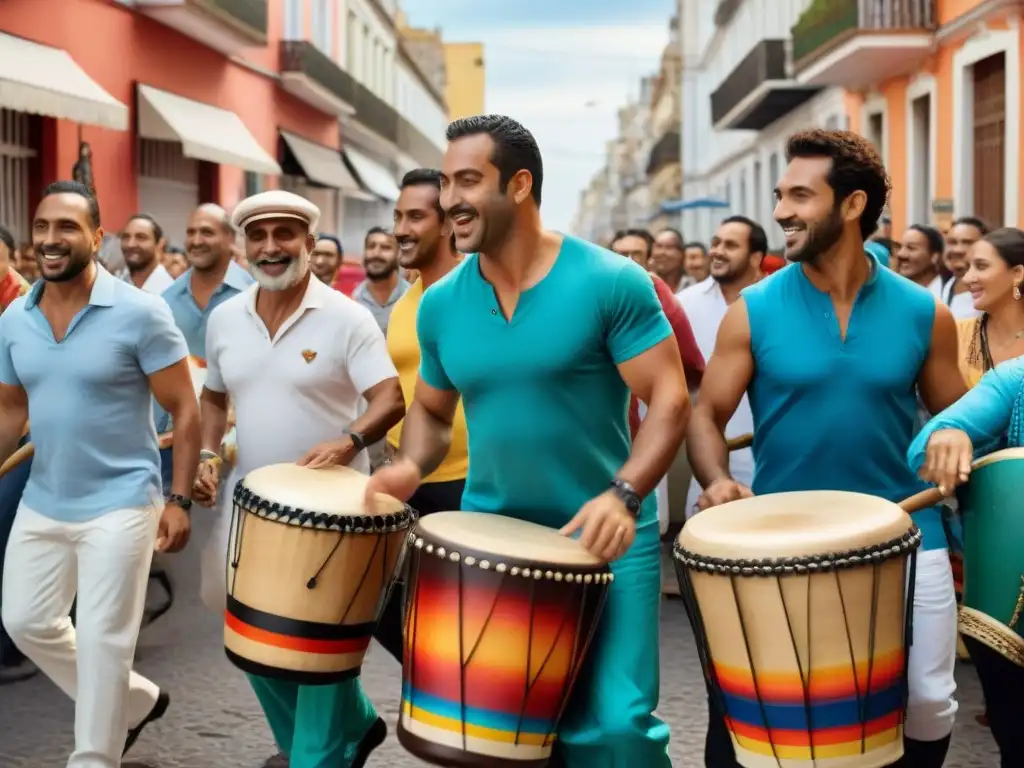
205,133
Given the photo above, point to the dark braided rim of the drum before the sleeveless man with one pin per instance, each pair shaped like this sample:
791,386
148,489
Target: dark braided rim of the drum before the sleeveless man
804,565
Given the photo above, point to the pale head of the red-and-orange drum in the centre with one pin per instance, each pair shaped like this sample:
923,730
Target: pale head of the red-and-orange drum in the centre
505,537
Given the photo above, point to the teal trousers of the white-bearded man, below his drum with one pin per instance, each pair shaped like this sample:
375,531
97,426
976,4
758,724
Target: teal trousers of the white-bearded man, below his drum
316,727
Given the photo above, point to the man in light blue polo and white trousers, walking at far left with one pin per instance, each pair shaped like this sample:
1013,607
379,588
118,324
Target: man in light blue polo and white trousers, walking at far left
82,356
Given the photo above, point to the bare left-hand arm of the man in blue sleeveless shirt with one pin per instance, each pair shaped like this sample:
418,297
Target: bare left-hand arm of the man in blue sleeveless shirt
727,378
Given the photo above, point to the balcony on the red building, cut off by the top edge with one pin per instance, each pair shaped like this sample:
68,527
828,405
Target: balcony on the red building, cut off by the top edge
226,26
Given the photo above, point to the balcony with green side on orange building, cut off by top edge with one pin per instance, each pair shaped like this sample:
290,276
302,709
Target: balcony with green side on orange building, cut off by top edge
856,45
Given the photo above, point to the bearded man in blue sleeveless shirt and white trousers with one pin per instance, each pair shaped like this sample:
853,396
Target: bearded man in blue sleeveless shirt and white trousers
832,351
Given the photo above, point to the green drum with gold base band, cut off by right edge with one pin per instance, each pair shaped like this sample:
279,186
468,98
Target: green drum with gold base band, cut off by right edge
994,554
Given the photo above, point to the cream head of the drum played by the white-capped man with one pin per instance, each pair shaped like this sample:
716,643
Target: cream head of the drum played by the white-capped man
335,491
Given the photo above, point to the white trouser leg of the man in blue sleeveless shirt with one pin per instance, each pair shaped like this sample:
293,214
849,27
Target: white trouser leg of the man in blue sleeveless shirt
932,707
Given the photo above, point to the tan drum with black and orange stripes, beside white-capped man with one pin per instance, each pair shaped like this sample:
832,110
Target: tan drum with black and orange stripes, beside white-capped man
308,574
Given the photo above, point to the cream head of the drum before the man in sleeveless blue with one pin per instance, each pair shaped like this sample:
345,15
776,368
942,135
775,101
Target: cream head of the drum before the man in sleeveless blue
796,525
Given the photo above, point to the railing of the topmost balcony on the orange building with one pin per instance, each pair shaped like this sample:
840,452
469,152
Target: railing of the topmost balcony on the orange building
827,24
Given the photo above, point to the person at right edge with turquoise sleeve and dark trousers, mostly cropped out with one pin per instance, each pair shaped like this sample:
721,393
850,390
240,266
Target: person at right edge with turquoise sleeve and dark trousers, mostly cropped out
988,418
